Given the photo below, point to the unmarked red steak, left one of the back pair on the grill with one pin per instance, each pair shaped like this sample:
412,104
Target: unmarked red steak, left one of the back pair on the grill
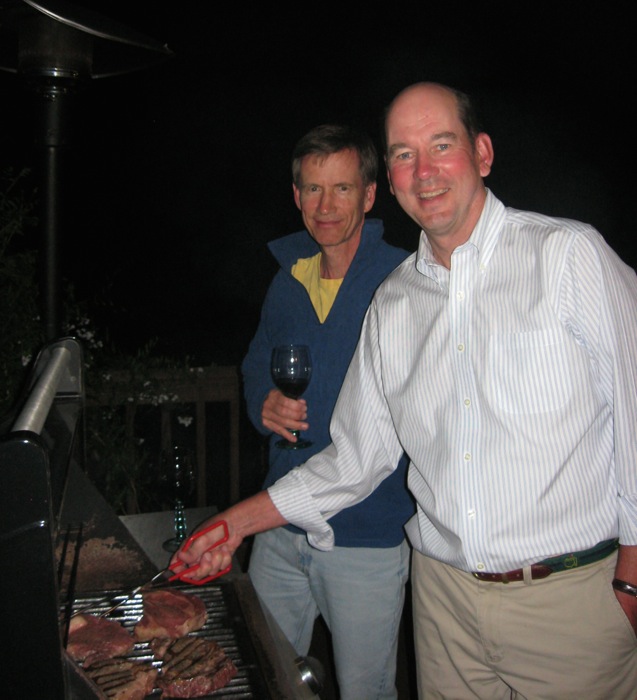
92,638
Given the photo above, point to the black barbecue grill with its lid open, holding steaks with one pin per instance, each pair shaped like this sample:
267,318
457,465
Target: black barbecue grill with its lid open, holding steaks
64,548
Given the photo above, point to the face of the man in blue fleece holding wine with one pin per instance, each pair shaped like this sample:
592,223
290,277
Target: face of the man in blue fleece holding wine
333,199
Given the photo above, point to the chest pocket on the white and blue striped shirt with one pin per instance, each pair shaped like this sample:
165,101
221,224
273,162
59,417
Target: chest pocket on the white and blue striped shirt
529,372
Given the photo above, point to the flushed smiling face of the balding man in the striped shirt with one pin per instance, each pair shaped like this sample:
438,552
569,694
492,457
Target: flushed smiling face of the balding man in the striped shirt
434,169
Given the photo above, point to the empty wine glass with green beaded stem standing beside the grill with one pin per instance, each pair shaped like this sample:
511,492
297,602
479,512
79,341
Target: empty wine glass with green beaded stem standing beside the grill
178,476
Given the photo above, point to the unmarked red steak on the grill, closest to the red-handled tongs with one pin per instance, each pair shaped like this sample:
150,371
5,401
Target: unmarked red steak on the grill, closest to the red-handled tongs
169,613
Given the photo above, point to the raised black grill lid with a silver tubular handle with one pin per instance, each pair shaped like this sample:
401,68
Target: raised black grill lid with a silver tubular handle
36,449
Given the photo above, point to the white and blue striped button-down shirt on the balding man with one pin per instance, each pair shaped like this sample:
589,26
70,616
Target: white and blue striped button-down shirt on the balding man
511,382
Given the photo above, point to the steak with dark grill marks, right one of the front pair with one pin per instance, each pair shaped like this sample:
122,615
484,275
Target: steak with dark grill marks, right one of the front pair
192,666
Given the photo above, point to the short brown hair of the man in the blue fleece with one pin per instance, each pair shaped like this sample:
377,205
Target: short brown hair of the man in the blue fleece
327,139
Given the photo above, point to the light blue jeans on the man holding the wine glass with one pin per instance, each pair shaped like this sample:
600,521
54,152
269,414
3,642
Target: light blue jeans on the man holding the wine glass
359,592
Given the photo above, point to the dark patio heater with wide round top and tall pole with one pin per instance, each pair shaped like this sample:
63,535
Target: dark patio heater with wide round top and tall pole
55,48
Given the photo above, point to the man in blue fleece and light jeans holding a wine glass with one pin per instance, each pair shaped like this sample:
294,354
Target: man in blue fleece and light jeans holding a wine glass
319,297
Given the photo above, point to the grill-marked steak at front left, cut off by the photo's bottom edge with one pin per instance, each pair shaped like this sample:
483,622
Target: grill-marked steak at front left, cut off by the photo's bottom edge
121,679
